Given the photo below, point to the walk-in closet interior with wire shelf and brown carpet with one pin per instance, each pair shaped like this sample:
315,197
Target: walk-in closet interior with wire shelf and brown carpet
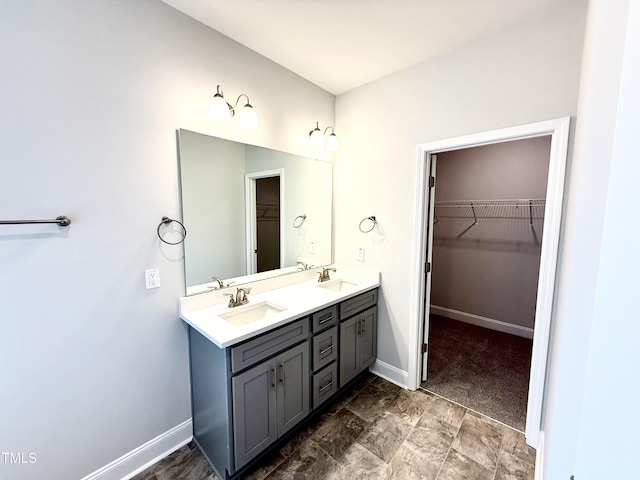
487,233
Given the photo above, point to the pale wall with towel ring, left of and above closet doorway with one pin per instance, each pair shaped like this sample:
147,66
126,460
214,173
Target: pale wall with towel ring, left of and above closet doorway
521,75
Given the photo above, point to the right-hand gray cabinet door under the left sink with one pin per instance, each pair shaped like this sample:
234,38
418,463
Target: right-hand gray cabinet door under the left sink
293,386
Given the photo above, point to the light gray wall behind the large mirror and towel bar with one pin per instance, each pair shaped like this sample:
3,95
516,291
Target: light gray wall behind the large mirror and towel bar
92,92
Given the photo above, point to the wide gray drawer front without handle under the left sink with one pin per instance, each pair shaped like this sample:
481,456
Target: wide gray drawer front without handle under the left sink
270,343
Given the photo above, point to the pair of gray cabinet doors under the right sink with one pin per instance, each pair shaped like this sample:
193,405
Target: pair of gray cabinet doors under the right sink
358,344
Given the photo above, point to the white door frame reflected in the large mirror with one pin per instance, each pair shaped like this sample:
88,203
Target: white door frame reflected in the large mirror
250,215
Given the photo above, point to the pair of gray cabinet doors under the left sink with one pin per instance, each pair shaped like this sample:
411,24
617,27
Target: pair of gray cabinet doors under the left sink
268,400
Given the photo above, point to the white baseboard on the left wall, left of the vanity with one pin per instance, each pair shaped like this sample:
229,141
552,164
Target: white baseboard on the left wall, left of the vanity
142,457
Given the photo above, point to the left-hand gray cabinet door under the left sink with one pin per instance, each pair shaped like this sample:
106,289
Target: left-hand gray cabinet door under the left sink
254,411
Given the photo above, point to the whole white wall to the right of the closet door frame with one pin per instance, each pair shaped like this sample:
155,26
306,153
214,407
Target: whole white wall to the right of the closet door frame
593,385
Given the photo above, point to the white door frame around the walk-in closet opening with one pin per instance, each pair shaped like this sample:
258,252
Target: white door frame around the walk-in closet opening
558,129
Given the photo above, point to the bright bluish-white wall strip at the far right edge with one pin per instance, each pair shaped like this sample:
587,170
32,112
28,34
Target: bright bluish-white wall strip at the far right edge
612,387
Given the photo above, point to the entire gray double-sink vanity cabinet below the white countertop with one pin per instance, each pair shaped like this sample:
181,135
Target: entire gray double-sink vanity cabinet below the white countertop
247,396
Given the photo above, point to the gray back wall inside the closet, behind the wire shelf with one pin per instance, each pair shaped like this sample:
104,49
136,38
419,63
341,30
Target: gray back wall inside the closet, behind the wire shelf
492,269
